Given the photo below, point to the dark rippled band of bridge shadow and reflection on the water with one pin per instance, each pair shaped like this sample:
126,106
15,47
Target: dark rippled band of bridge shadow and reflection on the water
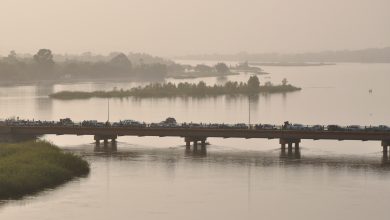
220,155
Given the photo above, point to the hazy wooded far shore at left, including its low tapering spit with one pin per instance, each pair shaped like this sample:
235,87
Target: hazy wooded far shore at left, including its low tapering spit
44,65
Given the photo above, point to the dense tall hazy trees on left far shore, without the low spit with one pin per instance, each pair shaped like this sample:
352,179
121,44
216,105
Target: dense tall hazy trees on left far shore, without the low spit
42,66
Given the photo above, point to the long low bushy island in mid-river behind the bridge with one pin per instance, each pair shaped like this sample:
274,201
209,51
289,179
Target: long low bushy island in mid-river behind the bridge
252,87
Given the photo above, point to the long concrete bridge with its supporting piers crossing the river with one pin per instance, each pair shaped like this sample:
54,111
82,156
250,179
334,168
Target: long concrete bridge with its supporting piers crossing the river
287,138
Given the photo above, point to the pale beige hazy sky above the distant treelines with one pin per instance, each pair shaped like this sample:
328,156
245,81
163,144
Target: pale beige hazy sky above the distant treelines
177,27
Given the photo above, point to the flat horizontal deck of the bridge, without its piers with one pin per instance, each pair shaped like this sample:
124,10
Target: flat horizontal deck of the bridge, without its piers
198,132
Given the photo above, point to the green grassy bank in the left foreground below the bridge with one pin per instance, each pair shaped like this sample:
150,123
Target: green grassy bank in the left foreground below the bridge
31,166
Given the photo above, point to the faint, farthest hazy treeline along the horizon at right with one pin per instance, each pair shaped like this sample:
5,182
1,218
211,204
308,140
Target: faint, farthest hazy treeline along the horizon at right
381,55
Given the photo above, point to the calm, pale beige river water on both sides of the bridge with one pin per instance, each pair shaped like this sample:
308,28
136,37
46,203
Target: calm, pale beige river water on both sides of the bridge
155,178
